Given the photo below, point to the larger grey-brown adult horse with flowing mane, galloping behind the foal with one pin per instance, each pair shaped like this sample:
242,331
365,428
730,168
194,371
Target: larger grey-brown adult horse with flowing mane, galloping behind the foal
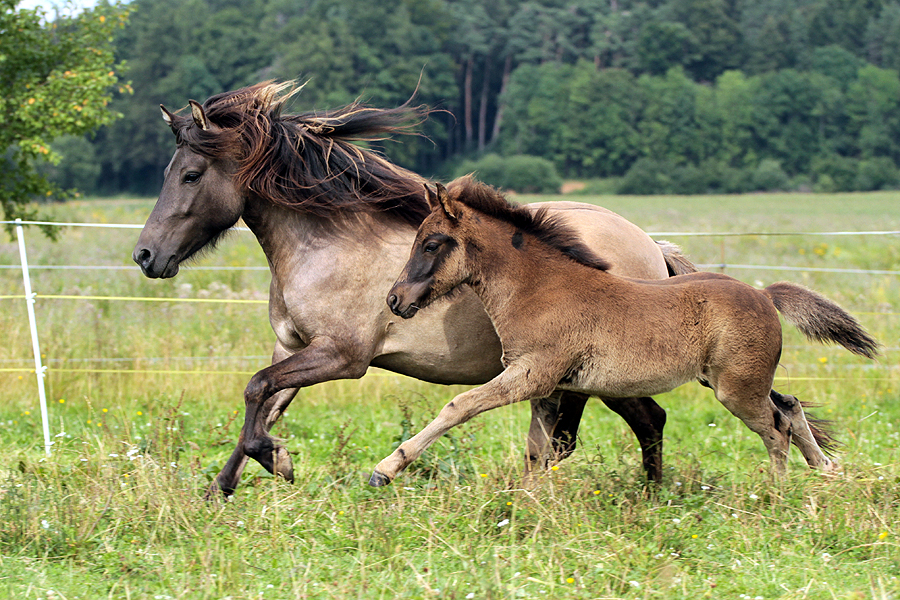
336,222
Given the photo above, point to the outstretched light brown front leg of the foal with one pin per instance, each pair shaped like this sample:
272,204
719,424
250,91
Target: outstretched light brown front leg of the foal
512,385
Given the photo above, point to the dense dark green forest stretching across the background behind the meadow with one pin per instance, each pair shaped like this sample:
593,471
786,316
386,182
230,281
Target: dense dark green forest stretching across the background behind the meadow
683,96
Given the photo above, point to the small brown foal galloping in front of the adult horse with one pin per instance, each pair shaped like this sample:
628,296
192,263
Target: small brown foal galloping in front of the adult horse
566,323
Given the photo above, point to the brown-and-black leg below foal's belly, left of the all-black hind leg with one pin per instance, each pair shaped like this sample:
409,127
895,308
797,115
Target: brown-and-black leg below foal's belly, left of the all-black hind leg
554,428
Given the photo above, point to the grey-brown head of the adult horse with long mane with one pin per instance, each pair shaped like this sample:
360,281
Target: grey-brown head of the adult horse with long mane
199,200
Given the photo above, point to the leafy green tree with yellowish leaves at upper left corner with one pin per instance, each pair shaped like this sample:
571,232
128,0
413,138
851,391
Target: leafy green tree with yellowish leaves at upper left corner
58,78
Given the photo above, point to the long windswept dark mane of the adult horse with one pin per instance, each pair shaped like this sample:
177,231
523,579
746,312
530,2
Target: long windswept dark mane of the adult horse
309,162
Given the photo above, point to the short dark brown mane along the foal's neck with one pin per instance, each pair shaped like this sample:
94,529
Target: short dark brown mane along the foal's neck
548,228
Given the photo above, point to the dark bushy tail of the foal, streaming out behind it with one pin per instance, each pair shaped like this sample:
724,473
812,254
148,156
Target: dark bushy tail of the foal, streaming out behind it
820,319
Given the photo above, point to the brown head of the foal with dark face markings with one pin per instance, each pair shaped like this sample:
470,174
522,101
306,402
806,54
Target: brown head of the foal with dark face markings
436,264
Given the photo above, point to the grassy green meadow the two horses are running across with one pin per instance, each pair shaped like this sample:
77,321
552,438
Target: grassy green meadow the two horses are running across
145,403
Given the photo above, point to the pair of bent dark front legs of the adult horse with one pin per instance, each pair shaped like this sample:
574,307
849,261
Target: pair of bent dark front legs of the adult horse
270,392
